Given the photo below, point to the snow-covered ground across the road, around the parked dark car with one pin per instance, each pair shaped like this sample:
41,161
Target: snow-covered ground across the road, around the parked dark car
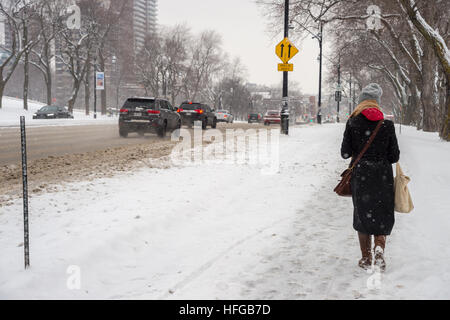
13,108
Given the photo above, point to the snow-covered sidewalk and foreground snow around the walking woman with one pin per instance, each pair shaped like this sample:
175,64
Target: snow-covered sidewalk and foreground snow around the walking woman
217,231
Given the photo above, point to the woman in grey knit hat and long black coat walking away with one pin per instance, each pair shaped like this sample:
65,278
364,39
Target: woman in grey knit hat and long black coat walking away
372,180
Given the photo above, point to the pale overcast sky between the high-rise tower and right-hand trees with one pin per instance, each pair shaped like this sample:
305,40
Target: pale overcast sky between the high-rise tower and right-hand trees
245,34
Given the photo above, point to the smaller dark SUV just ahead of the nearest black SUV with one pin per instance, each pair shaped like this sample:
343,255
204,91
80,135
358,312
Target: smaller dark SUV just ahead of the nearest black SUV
194,111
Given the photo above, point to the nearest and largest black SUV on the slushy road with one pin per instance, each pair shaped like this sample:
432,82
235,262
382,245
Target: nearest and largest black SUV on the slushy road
143,115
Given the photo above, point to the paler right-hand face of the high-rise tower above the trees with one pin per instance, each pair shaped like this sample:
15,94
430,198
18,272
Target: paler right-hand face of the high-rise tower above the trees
144,20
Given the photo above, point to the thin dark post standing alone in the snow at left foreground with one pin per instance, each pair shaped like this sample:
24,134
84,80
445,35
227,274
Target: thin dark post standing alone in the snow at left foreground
26,244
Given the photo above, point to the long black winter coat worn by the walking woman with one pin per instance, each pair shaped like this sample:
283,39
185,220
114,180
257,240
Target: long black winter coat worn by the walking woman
372,179
